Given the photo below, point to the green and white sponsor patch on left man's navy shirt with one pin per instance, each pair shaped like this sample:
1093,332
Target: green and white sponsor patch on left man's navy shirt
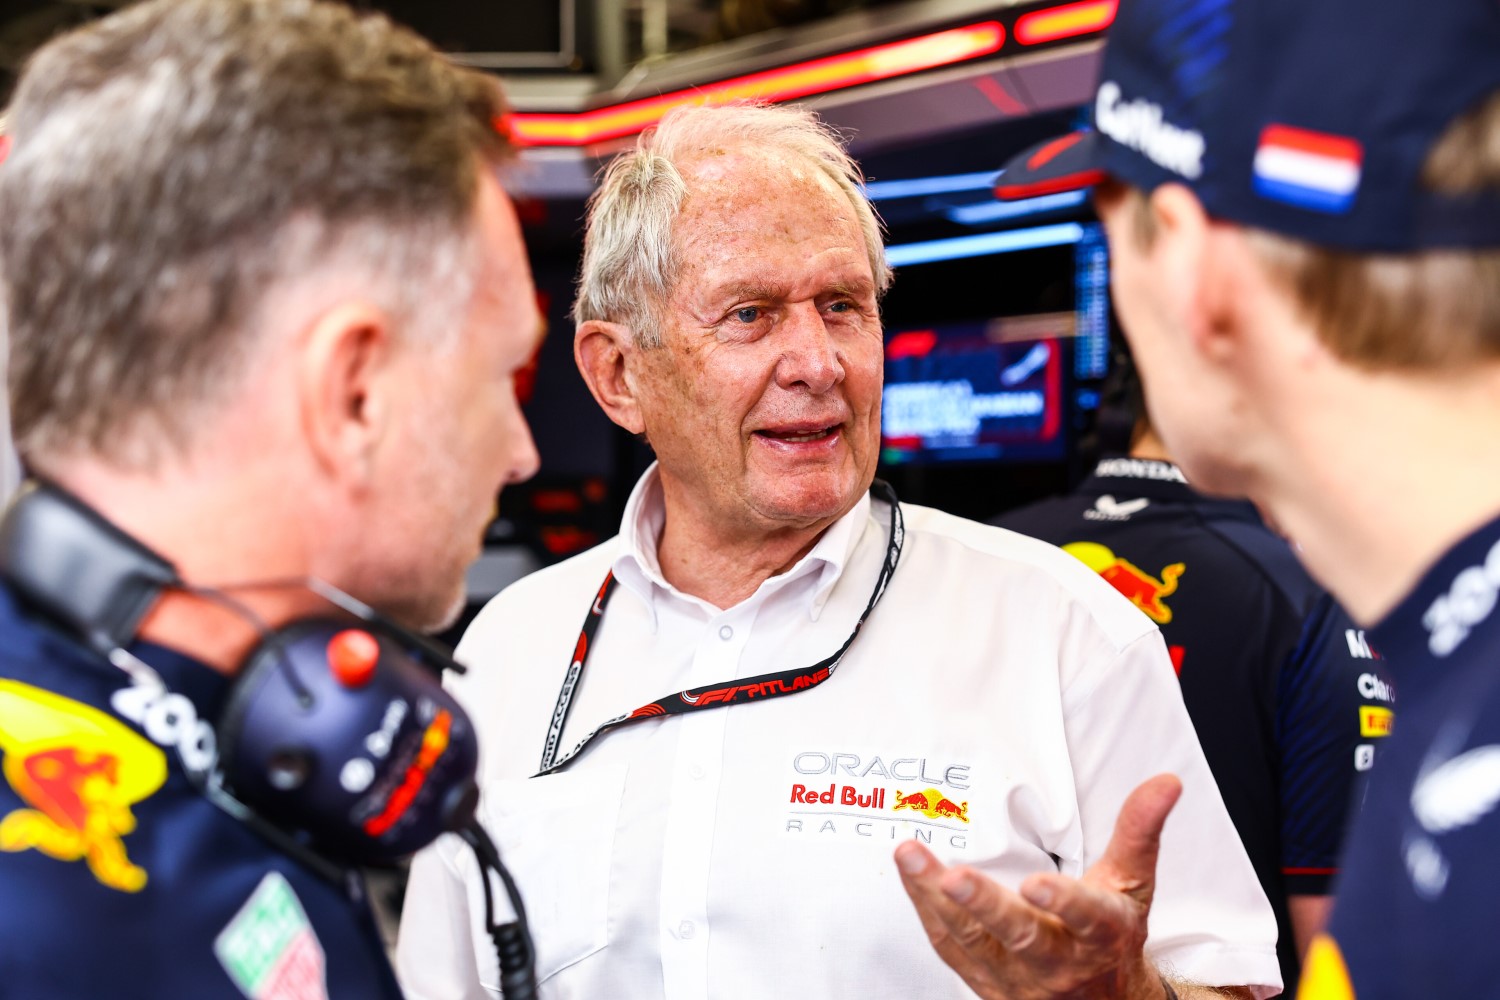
271,950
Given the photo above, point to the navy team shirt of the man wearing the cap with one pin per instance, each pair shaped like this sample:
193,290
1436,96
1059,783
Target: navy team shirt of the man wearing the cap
1420,894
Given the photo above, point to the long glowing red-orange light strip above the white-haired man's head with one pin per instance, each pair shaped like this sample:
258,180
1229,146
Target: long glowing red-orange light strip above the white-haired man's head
787,83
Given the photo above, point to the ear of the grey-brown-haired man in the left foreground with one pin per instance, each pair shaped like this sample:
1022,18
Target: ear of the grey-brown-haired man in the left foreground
343,400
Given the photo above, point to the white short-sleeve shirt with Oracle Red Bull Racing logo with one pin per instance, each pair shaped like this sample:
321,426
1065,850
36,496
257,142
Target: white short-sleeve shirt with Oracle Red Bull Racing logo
1000,705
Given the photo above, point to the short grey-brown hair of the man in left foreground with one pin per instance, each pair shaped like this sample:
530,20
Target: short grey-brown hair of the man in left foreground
184,164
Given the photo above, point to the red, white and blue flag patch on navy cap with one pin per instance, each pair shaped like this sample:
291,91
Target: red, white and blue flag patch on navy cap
1309,170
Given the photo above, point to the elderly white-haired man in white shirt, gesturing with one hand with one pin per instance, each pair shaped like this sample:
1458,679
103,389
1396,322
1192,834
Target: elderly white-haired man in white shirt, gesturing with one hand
784,674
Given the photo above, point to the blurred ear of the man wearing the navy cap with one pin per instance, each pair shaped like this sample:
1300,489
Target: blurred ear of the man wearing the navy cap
1196,268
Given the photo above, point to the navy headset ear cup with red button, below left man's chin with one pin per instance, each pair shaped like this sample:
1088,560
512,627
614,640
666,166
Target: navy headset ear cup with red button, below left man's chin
368,765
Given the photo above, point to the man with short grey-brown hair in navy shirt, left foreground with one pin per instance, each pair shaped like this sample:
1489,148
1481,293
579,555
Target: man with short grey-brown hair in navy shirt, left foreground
265,299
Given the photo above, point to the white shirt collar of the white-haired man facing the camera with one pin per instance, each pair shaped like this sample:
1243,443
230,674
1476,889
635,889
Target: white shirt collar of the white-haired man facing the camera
638,570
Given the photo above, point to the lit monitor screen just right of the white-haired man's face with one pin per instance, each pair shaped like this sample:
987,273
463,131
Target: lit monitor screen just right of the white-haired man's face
1013,362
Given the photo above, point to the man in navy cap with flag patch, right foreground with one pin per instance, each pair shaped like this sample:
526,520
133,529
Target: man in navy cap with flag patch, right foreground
1306,235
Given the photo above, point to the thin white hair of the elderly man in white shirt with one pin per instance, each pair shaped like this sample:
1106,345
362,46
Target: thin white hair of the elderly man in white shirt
631,266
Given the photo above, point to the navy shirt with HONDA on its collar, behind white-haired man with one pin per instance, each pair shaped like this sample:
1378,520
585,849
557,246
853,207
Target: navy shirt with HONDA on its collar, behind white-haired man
1288,698
